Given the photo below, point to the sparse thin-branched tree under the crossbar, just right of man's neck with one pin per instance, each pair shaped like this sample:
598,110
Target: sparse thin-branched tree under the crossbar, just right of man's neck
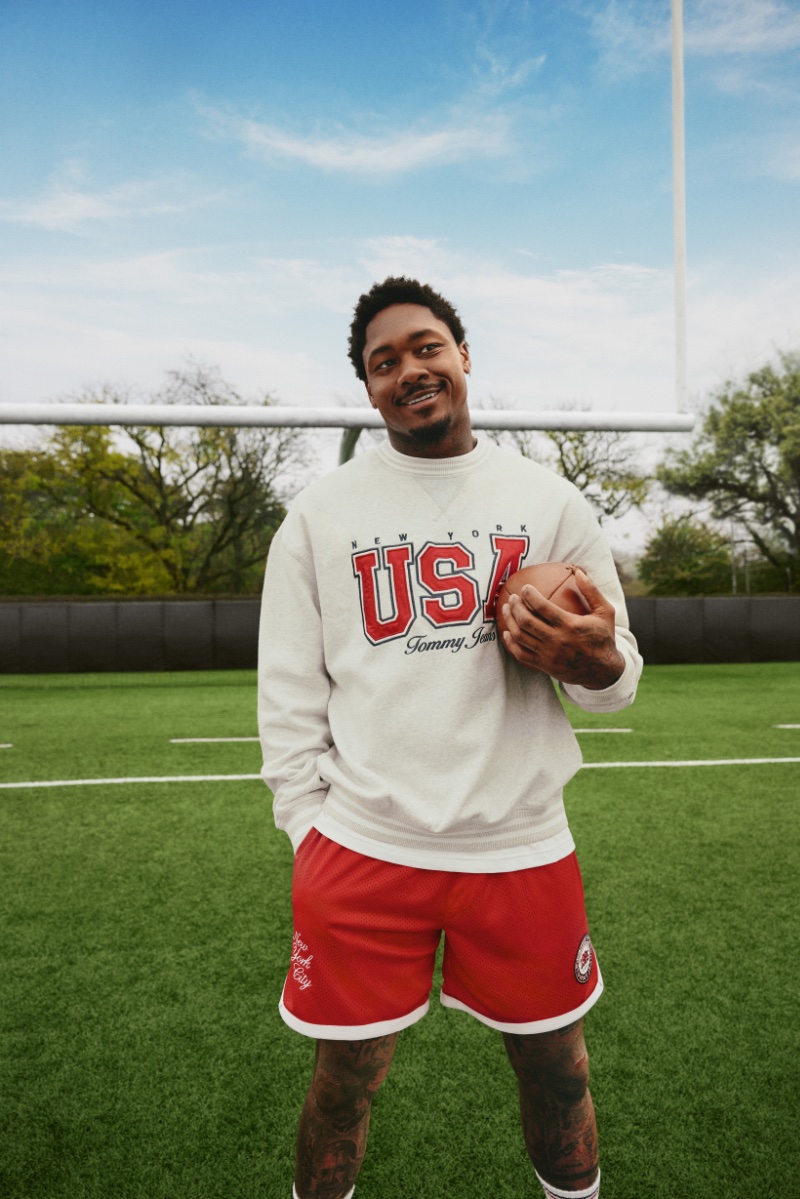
601,463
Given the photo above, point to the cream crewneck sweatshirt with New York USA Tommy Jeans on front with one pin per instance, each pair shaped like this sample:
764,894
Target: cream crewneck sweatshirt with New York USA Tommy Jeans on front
392,719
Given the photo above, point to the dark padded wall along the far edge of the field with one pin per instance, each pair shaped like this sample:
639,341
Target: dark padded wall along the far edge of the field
222,635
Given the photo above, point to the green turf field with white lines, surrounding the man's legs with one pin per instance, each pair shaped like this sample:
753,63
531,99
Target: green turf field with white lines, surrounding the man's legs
146,931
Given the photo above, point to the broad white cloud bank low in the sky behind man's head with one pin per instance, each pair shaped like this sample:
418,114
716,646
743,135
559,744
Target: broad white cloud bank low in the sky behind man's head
601,336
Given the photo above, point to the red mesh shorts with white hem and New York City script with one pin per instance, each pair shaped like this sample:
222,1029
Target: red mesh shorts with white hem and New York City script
518,950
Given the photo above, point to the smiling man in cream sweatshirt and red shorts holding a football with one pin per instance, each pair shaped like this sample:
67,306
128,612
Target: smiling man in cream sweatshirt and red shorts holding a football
418,764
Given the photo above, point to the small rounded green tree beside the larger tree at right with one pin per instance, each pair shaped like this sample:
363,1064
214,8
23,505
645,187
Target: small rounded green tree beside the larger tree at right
685,557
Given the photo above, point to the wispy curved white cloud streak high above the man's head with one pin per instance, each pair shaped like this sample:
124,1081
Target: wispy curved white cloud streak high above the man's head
380,155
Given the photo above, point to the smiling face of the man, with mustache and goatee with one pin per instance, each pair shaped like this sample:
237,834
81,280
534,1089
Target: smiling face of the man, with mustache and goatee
417,378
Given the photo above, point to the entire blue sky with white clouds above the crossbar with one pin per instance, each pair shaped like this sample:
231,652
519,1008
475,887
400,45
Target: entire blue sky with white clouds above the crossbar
221,183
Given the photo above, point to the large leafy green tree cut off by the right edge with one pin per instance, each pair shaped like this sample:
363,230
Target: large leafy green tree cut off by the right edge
747,462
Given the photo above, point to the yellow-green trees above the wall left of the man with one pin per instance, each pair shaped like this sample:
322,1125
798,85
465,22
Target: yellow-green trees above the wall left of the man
148,510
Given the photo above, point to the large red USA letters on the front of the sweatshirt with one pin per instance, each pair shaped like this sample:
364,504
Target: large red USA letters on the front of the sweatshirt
446,576
